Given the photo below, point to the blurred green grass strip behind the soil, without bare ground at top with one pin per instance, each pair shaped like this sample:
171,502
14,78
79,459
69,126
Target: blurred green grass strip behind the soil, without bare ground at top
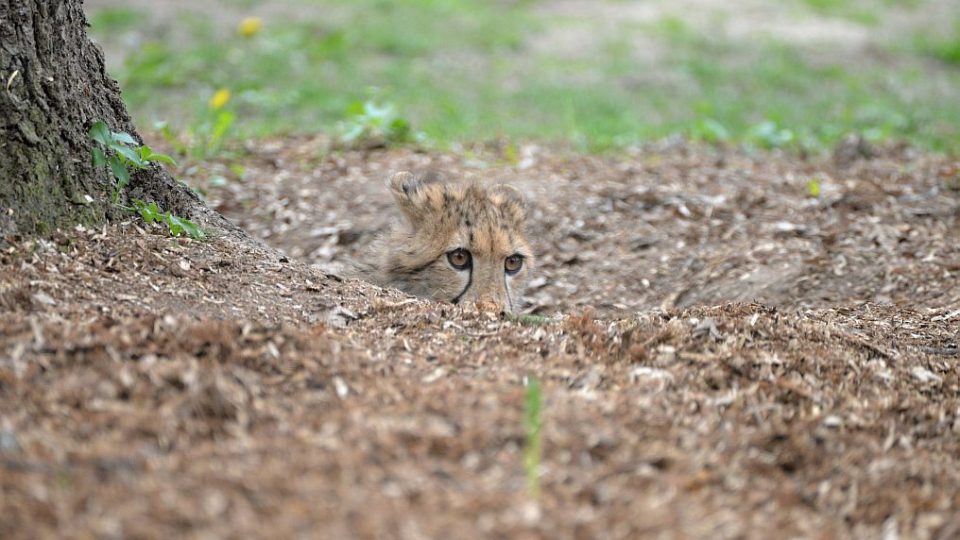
469,70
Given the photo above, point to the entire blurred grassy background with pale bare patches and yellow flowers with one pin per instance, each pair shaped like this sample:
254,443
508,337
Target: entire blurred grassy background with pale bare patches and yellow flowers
604,74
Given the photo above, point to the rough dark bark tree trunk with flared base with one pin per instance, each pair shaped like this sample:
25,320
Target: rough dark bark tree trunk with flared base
53,87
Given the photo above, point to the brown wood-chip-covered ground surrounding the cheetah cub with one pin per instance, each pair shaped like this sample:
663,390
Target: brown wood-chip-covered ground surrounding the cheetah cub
759,362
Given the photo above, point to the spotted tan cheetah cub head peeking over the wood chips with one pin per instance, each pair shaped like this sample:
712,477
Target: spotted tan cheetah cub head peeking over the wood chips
459,243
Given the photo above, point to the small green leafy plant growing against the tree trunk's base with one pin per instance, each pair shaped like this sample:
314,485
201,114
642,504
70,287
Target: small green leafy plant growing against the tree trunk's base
121,153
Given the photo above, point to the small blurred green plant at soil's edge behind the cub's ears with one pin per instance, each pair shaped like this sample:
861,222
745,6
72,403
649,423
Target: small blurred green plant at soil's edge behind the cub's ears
371,122
